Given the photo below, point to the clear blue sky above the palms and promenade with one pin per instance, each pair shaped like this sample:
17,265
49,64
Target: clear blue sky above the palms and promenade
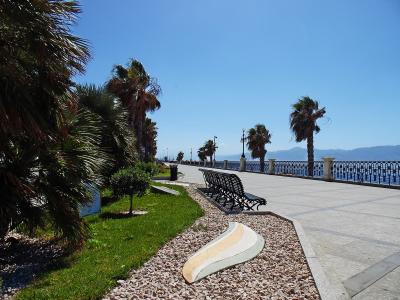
226,65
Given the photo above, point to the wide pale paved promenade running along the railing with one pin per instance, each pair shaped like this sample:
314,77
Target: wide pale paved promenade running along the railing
355,230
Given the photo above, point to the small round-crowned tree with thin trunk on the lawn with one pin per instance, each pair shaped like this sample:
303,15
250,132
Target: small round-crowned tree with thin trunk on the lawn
130,181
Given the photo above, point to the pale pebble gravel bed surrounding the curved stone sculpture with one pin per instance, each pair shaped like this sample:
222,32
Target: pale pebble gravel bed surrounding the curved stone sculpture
280,271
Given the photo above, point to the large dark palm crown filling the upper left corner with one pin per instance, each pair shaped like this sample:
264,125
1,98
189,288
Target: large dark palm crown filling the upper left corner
38,57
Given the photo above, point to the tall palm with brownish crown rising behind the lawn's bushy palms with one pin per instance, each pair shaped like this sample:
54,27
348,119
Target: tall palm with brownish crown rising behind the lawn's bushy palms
138,92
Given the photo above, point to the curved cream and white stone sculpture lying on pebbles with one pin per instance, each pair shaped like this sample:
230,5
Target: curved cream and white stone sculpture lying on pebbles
237,244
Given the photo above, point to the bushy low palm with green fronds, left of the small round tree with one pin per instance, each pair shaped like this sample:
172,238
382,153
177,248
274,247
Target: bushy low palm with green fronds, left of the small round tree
66,169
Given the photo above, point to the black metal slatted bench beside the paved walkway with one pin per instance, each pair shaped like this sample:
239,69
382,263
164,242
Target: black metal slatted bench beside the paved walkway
227,190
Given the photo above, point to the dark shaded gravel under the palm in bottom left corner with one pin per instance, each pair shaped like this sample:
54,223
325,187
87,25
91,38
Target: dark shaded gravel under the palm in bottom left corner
22,259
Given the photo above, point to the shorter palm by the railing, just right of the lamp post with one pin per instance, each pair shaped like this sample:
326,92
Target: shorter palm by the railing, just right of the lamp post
257,137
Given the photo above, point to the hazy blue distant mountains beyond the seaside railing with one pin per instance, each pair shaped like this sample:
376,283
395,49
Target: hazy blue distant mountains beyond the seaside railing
297,153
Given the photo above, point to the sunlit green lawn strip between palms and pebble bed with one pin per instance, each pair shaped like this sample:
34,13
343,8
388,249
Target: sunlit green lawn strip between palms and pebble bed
116,246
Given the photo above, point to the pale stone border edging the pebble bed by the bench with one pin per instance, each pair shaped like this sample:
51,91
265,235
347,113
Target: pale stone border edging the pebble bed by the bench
326,289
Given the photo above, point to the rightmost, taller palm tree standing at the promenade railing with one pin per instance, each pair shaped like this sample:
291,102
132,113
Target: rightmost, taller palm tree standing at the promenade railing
303,122
